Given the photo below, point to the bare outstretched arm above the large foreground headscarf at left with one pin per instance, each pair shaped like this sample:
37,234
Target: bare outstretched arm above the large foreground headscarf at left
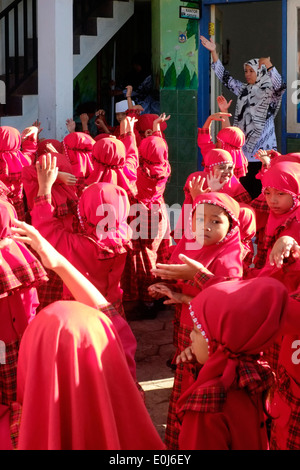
80,287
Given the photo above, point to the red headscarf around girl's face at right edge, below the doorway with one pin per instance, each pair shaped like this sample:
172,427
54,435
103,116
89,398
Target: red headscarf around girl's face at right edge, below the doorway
285,177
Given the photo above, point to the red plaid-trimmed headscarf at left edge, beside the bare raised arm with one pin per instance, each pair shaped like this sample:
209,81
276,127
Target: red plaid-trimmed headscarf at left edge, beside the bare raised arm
19,268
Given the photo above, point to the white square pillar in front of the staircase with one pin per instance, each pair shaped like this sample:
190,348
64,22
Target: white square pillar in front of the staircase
55,59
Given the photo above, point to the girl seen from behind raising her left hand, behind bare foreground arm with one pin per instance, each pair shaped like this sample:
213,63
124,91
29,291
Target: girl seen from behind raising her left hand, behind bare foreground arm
99,250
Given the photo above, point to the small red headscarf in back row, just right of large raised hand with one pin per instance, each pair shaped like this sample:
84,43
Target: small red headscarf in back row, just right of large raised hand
78,147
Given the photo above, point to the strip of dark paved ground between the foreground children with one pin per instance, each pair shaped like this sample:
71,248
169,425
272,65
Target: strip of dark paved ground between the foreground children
154,348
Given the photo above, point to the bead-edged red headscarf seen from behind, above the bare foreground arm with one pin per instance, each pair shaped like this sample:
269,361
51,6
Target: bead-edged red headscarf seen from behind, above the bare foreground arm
103,209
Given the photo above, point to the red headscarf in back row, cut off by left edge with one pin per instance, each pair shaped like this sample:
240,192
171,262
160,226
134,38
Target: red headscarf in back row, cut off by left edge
12,159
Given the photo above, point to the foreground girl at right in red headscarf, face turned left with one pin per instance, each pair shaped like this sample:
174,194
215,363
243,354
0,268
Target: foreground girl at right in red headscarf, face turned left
224,408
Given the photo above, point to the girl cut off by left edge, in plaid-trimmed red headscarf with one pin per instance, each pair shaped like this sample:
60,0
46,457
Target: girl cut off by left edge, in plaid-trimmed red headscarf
20,275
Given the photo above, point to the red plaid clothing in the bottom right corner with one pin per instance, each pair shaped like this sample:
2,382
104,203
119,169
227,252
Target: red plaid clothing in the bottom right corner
293,423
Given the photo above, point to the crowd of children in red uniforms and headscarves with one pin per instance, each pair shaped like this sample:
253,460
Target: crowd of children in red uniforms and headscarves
86,245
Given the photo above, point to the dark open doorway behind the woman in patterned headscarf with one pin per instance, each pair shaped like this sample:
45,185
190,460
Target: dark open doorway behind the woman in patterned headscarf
244,30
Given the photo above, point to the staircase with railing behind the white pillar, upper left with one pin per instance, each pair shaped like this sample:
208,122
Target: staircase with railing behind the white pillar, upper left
95,23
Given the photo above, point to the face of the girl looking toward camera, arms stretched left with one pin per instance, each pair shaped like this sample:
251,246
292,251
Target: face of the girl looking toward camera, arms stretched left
210,224
